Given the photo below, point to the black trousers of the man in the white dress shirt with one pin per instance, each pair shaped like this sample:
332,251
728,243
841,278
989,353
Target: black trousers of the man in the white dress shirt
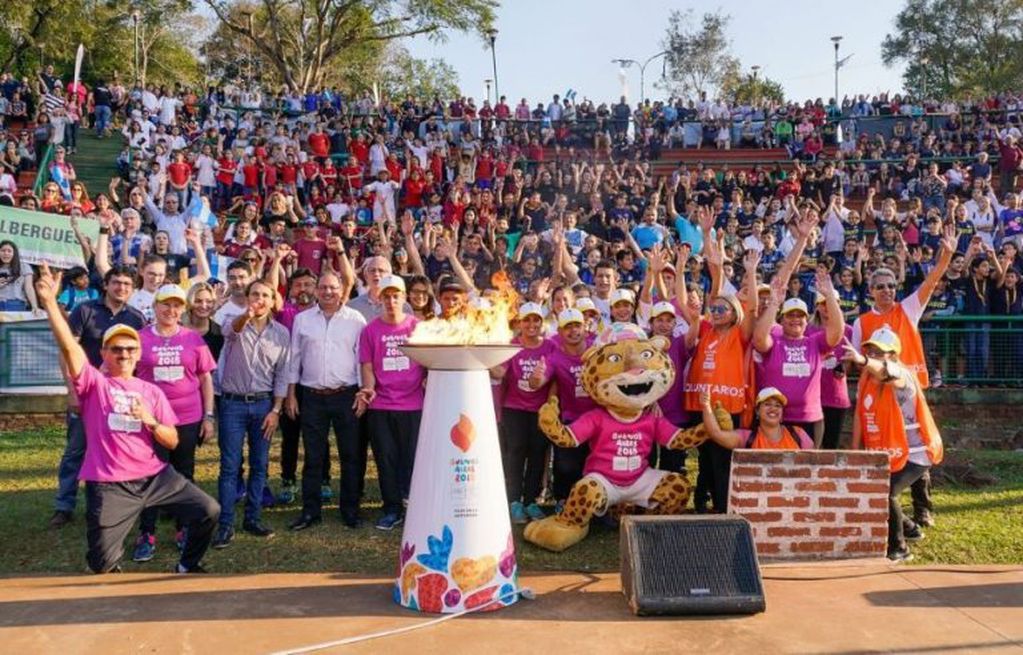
320,414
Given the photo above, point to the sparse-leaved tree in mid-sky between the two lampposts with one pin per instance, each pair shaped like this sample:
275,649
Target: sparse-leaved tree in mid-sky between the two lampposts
699,58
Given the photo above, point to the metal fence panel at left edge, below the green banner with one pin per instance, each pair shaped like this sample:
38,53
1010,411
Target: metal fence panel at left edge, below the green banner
29,356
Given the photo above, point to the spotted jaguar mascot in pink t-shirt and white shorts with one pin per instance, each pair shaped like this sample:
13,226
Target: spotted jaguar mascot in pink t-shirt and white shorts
626,373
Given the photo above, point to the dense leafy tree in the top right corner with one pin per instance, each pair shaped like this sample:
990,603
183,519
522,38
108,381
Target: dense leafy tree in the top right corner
969,47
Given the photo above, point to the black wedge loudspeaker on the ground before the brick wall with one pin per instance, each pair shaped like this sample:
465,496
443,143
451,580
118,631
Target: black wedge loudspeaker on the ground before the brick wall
691,565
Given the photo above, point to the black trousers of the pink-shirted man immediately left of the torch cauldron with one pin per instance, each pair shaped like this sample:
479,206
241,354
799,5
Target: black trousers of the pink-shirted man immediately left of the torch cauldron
394,435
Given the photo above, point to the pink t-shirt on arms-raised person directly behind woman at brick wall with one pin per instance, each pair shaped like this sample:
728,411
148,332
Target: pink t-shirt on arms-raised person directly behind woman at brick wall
793,366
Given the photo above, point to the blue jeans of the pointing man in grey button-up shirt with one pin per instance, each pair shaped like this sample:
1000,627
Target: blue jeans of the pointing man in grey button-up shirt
240,420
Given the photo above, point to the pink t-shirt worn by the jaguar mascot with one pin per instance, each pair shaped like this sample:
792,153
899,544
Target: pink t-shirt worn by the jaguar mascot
619,451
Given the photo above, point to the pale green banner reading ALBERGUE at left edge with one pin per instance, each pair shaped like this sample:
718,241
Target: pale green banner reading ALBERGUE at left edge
47,238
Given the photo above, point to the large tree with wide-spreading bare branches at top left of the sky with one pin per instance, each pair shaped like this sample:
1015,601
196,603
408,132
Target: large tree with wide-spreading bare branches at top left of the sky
301,40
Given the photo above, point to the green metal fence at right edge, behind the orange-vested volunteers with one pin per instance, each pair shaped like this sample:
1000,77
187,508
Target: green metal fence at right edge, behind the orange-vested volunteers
981,352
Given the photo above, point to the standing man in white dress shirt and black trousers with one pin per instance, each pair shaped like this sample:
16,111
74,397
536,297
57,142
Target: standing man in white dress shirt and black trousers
326,364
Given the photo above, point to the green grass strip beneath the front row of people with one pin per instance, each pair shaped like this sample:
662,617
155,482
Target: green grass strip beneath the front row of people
975,527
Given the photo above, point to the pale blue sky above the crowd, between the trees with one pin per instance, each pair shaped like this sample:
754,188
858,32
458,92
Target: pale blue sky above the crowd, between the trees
550,47
